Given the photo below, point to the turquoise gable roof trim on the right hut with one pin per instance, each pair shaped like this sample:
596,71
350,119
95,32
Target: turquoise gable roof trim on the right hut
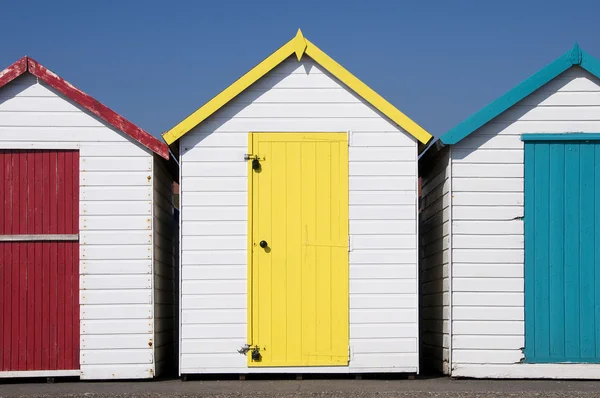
574,57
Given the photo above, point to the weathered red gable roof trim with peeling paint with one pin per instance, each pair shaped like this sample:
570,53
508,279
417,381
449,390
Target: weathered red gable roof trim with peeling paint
27,64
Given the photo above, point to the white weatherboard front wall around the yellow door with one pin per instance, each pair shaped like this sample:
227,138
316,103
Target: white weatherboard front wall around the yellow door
297,97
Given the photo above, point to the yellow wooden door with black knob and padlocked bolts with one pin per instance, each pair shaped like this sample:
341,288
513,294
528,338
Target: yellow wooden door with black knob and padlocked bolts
298,279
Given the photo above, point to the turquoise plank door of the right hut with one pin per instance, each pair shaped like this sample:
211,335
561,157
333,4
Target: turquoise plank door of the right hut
562,248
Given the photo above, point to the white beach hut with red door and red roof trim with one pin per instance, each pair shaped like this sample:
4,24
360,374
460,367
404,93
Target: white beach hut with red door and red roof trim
86,235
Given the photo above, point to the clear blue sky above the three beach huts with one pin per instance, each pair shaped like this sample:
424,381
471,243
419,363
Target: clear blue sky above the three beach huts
155,62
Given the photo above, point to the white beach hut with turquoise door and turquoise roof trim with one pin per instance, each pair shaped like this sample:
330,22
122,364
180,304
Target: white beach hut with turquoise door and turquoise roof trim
510,232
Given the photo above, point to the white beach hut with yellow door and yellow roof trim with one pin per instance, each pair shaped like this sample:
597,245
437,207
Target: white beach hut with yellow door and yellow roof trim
298,223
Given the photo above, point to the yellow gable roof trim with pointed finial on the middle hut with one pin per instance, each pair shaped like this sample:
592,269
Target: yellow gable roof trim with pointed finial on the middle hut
299,46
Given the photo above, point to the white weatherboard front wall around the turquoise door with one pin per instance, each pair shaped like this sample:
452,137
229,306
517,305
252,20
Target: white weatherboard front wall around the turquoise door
488,240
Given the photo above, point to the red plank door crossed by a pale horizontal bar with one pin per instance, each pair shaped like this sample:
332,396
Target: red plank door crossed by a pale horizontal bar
39,260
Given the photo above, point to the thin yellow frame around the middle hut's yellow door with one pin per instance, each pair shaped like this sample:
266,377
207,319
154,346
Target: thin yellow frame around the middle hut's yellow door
250,228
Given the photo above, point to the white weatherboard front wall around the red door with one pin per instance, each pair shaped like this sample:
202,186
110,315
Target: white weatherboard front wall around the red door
116,236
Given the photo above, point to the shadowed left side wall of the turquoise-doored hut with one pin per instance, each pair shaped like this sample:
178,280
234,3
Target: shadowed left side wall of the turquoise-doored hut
434,230
